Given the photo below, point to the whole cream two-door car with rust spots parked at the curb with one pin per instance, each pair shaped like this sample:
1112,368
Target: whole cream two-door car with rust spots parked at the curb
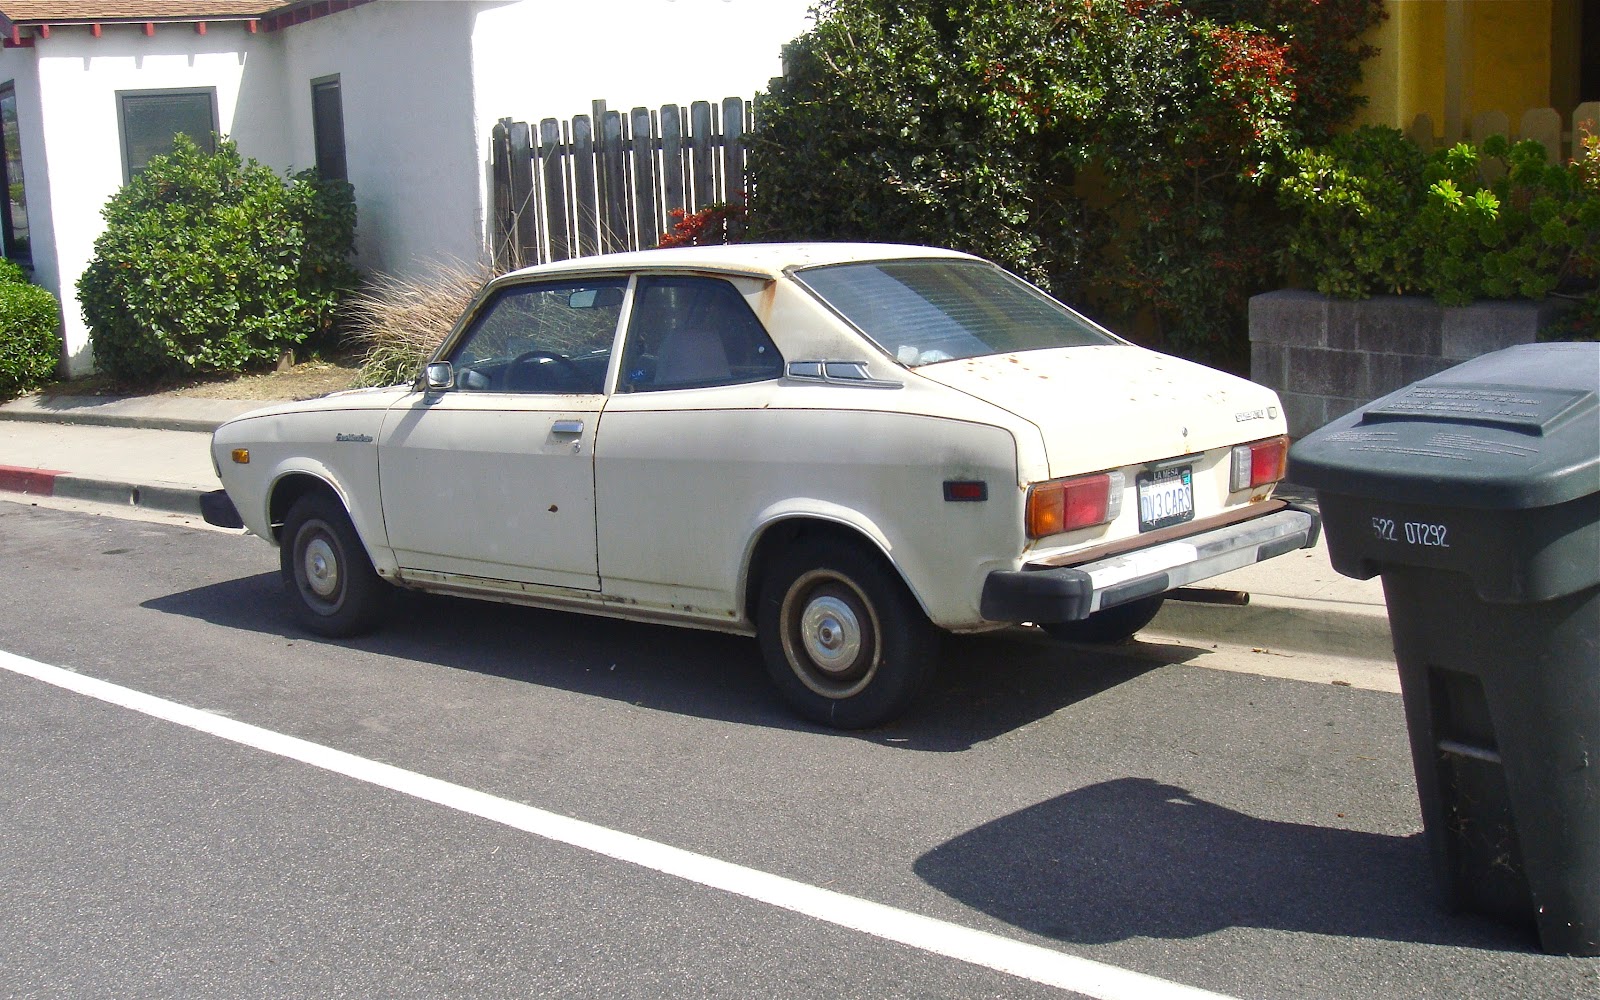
839,449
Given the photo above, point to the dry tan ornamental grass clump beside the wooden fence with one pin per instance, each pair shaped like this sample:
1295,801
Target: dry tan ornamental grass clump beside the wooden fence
399,322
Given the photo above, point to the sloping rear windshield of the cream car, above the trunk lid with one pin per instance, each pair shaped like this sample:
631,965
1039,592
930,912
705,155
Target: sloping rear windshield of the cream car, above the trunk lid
938,311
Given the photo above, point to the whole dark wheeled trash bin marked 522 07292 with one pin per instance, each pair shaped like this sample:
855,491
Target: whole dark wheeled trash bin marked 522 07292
1476,495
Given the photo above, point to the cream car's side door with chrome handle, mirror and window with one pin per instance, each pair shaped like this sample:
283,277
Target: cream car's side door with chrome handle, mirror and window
494,478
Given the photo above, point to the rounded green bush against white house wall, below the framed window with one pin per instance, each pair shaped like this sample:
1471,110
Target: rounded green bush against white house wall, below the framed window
210,263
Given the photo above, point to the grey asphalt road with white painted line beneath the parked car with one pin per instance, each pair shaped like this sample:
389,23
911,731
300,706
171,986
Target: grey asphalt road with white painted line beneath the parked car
1215,830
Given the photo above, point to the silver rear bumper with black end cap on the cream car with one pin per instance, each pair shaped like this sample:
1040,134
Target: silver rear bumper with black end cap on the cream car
1049,594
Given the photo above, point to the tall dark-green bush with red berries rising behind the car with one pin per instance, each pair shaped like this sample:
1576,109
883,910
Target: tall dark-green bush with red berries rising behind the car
1113,151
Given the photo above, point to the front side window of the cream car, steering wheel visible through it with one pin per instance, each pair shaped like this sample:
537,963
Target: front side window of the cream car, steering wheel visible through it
554,337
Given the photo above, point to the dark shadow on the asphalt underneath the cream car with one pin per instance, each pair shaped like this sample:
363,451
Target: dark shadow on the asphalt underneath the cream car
986,684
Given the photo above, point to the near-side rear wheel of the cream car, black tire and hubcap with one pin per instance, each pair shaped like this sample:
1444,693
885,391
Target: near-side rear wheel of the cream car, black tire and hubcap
844,641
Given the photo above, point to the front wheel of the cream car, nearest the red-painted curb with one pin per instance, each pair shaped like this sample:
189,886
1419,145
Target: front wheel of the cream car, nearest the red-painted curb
334,588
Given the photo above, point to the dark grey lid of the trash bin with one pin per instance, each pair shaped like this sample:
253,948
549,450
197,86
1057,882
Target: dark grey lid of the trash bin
1514,430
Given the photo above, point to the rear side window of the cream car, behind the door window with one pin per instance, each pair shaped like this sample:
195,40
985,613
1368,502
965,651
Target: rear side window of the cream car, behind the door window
695,332
